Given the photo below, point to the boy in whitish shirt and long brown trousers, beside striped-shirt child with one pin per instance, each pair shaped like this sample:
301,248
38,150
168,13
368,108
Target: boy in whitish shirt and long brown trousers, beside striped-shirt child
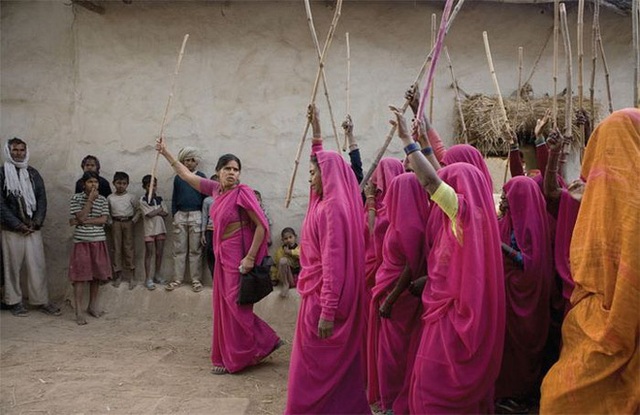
123,209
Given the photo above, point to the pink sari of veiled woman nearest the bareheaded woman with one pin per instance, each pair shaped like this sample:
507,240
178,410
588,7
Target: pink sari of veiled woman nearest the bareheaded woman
327,375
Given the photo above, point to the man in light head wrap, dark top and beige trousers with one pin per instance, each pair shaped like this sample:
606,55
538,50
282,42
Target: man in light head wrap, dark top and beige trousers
186,208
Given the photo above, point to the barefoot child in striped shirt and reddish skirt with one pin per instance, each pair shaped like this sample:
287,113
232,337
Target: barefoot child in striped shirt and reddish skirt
89,260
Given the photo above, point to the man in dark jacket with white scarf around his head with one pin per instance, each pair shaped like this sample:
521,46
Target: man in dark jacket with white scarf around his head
23,207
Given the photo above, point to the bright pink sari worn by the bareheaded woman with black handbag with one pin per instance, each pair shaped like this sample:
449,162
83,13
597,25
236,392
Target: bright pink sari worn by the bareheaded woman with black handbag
240,338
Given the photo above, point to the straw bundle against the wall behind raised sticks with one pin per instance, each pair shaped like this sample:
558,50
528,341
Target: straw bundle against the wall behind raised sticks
486,127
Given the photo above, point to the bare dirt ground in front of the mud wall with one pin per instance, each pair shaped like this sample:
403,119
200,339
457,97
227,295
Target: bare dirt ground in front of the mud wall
148,354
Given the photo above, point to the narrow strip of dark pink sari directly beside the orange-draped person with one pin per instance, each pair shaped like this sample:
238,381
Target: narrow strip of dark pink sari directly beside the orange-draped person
567,215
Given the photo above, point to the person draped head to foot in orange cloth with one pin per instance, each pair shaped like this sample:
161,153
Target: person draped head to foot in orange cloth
600,360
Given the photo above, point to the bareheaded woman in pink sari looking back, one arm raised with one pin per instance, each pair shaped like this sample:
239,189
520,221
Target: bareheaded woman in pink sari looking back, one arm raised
240,338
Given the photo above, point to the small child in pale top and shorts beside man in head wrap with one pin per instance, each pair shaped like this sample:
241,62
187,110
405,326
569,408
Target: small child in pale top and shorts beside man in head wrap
155,231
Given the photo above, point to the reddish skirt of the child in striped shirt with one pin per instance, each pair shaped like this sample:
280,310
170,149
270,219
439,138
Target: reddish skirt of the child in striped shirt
89,261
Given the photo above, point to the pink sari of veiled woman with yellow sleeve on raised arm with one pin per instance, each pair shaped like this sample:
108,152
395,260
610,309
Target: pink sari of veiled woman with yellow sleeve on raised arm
464,311
